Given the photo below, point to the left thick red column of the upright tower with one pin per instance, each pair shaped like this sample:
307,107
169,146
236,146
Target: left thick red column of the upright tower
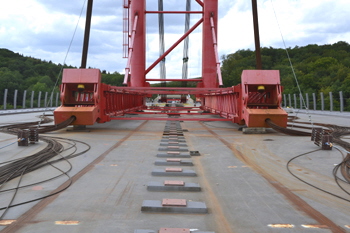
138,60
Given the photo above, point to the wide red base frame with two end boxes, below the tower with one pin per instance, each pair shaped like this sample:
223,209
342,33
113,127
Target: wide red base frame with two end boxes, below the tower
242,104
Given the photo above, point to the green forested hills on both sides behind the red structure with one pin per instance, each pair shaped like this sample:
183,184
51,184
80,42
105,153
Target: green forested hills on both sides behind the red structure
318,68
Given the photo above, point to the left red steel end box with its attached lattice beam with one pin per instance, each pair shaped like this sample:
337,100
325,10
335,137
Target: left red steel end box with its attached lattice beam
96,102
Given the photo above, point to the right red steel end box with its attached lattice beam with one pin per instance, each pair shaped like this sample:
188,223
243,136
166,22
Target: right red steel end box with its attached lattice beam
246,105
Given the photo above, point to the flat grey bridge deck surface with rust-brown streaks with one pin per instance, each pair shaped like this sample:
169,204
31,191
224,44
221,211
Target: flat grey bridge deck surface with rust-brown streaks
244,181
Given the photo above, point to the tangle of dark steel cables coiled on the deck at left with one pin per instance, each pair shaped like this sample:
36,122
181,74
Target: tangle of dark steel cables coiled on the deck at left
10,170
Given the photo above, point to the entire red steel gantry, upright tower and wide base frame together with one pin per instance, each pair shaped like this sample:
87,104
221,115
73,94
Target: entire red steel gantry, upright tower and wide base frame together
256,99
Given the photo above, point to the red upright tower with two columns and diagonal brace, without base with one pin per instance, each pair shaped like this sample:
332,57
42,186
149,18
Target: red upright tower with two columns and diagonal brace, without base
137,49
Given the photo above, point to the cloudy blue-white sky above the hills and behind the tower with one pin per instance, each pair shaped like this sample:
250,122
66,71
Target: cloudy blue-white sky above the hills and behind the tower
44,28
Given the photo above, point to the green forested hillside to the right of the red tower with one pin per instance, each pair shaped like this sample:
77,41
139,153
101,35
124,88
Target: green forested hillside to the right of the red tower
318,68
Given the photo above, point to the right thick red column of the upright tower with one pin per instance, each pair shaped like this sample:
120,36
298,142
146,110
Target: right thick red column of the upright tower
209,73
